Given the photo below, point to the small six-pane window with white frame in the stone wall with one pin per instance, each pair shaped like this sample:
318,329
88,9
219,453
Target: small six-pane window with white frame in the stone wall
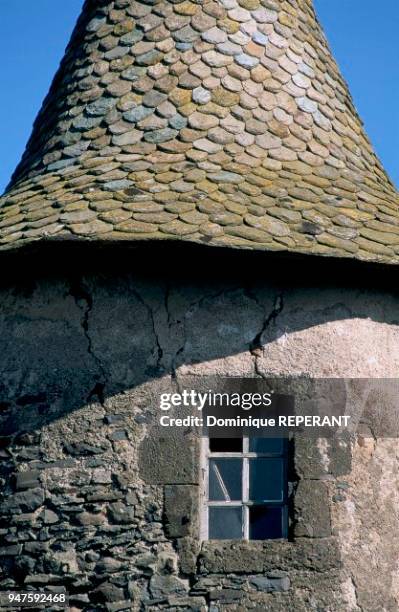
244,488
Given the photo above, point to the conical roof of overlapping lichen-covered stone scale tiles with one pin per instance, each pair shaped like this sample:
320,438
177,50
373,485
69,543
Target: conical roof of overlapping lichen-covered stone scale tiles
217,121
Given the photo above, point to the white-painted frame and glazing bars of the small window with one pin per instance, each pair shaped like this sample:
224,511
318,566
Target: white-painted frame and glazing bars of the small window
205,456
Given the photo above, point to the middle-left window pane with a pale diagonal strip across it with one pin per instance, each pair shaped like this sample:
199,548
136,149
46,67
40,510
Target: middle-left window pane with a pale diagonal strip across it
225,479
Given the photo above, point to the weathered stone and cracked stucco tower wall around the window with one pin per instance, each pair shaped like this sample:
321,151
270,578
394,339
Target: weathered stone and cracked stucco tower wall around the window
93,503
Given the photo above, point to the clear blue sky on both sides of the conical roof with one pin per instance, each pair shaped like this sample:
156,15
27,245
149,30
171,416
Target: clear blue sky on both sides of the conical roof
362,33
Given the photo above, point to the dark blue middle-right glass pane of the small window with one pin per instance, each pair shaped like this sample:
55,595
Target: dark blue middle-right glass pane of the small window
266,480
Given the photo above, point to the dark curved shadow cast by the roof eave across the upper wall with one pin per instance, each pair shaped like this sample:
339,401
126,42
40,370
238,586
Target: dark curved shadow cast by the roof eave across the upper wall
76,329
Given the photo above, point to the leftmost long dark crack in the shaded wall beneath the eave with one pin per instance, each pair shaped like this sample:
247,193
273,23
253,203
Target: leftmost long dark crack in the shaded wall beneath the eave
84,302
